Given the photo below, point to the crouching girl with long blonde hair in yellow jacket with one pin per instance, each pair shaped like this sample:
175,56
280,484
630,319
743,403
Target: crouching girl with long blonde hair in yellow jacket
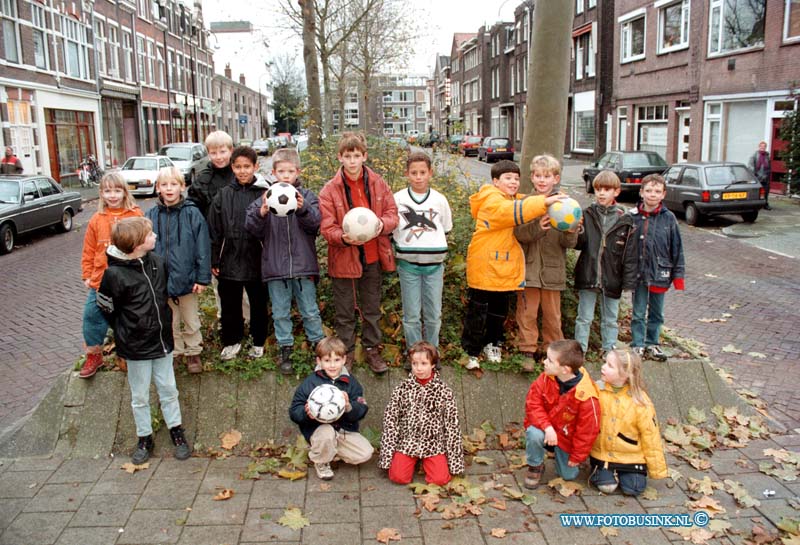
628,448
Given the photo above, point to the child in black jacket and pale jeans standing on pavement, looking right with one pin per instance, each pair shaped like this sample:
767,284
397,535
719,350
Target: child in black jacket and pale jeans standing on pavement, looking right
133,297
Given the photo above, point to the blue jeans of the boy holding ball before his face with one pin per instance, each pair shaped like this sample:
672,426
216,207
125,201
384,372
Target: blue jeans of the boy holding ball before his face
304,292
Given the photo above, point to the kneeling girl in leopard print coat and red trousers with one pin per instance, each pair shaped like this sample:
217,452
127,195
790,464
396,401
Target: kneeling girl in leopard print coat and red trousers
421,422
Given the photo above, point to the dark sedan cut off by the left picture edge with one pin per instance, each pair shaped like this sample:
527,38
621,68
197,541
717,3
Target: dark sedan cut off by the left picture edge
29,202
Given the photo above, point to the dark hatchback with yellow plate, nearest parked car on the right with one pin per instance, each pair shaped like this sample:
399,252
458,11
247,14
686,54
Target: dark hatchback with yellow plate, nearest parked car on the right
713,188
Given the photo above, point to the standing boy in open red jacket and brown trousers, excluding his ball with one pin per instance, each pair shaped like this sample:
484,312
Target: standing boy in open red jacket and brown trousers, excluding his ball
356,267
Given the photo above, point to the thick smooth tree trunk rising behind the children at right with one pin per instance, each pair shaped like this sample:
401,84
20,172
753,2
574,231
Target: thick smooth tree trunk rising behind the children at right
548,84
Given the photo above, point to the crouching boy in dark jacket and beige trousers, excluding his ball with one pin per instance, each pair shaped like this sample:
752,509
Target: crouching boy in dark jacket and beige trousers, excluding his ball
339,438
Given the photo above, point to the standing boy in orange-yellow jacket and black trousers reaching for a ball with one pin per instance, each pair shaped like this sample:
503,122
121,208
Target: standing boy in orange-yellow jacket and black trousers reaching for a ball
495,262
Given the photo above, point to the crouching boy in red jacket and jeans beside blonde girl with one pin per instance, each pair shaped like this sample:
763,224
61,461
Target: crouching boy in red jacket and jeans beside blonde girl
562,413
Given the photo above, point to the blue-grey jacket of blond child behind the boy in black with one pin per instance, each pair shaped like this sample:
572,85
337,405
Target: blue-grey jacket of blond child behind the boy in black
184,242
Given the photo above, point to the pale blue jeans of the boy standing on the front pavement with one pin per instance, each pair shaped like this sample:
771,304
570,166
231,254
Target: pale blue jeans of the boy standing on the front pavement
139,374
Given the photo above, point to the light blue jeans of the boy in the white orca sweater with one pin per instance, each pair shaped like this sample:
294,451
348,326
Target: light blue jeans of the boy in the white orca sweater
422,303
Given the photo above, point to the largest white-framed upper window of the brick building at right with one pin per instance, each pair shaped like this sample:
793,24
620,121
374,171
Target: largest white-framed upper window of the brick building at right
735,25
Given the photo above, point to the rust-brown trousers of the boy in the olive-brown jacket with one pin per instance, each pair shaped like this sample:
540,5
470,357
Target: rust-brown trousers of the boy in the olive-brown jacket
528,303
